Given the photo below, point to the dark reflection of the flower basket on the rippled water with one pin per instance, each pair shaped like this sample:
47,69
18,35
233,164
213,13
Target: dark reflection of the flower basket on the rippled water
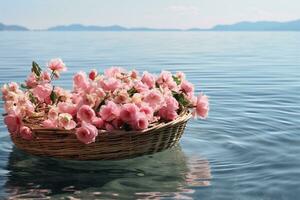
38,177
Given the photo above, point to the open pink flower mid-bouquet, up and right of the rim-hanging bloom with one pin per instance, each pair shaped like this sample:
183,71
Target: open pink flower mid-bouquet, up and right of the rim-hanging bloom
110,111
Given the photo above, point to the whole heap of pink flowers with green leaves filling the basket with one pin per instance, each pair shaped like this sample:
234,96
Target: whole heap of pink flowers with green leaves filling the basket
114,100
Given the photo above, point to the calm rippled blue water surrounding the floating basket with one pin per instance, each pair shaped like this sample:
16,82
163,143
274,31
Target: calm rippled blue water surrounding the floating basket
249,148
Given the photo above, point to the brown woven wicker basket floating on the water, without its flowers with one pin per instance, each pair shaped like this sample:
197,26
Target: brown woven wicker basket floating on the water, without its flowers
115,145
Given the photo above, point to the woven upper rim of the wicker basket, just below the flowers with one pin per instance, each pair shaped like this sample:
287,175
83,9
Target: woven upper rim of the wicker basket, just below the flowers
183,116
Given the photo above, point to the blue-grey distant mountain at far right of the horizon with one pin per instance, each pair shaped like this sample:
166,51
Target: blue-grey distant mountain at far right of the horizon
260,26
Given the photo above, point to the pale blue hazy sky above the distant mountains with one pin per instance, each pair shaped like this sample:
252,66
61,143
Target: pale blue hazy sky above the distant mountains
38,14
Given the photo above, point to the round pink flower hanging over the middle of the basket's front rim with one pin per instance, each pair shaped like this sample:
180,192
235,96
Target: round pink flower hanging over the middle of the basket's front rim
87,133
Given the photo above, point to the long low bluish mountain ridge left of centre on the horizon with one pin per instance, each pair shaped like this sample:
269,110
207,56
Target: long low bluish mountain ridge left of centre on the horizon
80,27
